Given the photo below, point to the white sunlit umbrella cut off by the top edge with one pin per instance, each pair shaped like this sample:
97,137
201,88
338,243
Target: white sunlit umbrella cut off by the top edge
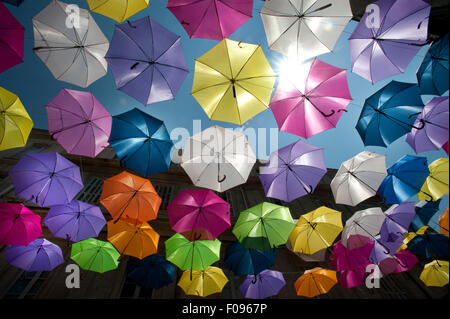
304,28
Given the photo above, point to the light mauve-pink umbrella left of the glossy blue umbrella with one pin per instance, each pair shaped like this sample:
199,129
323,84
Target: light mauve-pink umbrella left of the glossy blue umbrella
79,122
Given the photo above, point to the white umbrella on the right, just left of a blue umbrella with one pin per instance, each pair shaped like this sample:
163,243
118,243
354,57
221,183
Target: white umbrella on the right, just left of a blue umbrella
359,178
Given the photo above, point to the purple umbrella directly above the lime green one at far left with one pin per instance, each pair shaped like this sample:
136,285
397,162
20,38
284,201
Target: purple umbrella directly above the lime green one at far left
75,221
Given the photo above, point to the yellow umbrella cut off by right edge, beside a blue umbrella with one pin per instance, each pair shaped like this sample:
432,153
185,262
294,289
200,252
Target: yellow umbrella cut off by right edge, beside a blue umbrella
436,184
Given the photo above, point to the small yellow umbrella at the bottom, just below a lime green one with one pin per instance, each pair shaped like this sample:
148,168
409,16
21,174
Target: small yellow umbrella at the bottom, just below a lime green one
203,283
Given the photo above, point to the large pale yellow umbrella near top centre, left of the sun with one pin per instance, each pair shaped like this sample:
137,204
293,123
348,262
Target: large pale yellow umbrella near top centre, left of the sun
233,81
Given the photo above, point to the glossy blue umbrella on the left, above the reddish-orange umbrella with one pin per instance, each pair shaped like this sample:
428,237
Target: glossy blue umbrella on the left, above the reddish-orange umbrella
141,142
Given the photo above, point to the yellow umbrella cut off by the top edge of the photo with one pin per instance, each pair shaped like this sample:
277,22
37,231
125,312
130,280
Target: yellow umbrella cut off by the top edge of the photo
119,10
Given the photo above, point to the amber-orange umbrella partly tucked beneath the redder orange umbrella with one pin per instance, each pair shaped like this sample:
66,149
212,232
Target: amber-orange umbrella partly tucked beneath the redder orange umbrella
138,240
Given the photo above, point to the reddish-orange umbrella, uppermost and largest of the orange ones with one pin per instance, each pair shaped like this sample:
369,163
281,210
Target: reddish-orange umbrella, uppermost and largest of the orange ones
127,196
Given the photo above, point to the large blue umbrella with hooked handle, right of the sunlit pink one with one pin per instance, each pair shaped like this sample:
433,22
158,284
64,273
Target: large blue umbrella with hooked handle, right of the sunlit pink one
389,114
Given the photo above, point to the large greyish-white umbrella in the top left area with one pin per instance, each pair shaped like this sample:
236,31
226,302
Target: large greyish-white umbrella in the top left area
72,54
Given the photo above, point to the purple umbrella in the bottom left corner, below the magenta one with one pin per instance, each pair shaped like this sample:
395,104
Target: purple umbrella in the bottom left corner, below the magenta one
39,255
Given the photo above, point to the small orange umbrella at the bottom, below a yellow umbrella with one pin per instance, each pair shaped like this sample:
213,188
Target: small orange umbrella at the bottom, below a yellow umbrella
315,282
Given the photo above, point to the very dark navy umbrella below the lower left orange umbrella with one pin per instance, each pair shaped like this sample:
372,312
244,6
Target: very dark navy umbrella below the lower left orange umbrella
152,272
